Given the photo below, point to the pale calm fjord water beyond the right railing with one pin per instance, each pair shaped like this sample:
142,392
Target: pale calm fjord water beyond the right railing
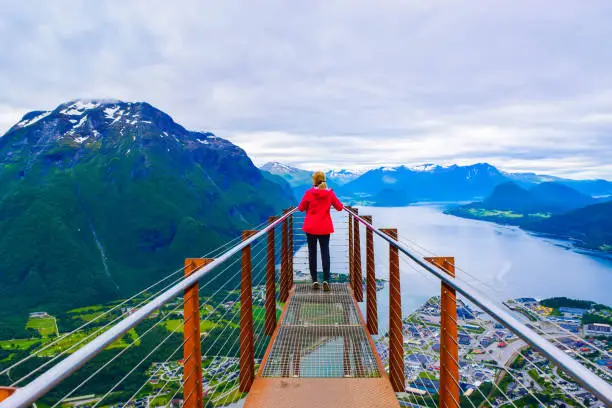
504,262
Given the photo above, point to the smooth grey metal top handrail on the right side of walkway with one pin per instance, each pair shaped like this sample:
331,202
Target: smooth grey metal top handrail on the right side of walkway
589,380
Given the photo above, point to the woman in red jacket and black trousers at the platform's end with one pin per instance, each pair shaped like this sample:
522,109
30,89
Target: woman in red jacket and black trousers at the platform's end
318,225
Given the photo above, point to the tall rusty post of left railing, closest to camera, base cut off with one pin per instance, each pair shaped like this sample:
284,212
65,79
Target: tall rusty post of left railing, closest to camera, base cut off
193,396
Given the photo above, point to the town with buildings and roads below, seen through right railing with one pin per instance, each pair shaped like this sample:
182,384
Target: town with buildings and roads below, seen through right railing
497,366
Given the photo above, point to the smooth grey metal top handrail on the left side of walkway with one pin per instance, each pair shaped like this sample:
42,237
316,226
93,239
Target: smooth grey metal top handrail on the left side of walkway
49,379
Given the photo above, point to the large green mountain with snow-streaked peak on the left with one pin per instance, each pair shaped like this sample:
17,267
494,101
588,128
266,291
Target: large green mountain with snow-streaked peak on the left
100,197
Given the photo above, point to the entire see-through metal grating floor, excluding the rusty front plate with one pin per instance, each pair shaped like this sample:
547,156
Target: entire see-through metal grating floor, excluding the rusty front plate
321,336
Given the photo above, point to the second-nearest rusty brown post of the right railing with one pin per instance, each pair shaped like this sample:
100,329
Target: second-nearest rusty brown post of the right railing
396,350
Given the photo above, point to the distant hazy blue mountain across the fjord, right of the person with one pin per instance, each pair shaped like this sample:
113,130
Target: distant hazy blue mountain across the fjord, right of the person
390,186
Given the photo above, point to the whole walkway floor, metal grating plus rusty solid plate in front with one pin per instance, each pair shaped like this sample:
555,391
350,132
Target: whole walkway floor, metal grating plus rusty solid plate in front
321,355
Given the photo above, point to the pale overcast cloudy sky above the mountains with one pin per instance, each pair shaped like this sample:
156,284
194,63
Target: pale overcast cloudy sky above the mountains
525,85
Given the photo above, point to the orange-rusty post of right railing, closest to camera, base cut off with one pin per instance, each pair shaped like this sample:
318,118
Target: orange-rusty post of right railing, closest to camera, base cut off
449,350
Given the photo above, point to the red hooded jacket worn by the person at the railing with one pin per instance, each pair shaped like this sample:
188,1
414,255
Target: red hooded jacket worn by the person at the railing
316,203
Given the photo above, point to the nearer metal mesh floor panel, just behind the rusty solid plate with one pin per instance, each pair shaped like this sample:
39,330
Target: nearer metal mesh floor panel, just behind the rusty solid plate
321,351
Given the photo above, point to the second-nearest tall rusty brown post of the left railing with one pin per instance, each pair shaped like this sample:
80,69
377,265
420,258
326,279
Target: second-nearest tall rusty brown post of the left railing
247,346
